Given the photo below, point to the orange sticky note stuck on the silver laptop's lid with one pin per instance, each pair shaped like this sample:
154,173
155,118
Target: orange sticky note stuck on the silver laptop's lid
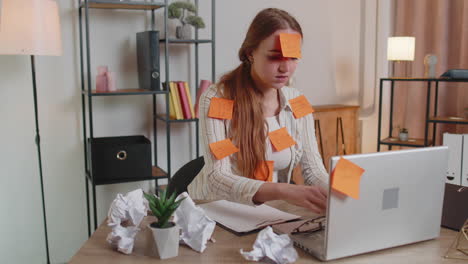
346,178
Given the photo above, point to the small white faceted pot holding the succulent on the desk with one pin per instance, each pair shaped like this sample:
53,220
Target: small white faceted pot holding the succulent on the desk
167,241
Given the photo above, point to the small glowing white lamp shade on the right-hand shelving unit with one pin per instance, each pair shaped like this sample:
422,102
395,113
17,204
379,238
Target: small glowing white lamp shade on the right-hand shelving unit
400,48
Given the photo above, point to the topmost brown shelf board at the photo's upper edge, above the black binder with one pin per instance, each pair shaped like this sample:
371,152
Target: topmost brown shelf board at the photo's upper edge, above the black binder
116,4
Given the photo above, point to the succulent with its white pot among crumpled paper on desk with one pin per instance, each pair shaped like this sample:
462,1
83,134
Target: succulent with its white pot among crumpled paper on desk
165,233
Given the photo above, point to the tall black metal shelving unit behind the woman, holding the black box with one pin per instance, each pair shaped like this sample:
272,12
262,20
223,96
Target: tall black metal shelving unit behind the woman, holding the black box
88,95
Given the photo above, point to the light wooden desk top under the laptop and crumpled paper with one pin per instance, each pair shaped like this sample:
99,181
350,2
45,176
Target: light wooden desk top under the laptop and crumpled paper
227,246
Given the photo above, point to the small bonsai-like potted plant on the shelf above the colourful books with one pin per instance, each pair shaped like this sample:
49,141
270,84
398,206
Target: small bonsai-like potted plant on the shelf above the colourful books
179,10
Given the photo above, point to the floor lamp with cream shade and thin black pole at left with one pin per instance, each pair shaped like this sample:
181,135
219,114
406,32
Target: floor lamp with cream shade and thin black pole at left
31,27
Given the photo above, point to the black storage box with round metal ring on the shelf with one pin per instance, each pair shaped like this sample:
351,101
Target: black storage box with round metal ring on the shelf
116,159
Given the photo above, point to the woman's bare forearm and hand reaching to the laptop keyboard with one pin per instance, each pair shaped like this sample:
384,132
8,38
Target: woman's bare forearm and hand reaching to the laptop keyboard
313,198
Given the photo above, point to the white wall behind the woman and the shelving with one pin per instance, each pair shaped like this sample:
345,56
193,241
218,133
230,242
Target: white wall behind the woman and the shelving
337,67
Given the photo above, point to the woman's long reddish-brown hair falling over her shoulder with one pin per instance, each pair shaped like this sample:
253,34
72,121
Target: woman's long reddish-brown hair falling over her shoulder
248,129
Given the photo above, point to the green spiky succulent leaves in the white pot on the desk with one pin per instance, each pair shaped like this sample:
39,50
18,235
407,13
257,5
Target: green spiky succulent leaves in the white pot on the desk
163,207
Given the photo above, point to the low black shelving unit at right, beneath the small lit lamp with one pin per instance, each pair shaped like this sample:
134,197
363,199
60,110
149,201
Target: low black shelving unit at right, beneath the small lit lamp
433,119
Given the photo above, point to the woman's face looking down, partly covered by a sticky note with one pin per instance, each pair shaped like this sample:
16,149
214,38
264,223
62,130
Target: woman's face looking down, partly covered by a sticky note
269,68
